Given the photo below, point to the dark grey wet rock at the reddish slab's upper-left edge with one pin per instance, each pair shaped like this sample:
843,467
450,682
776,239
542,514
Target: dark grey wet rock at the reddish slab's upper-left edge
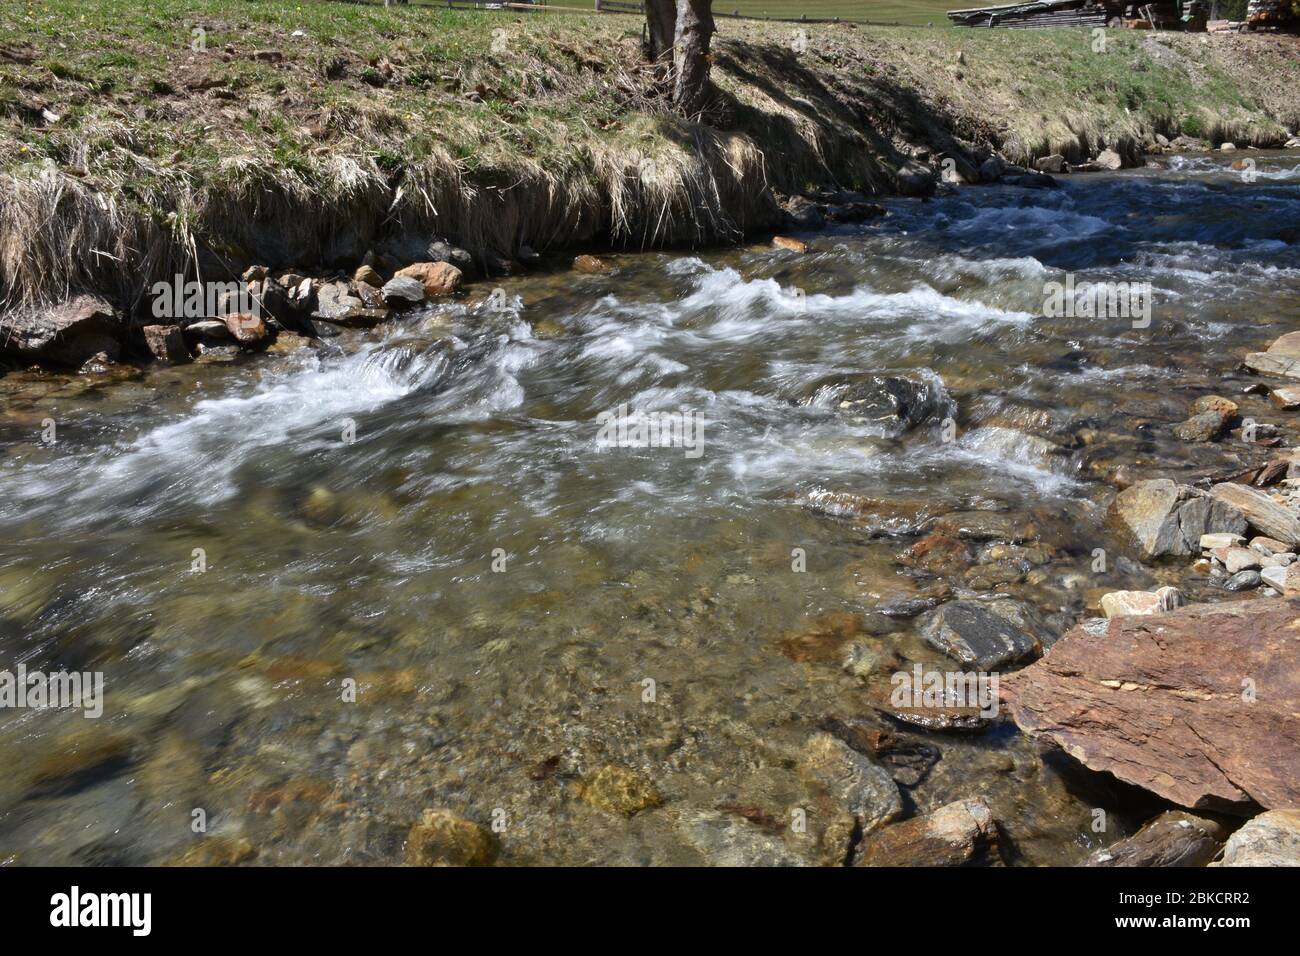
987,635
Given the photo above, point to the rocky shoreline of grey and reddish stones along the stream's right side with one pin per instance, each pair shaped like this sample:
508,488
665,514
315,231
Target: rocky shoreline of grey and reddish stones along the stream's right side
1194,704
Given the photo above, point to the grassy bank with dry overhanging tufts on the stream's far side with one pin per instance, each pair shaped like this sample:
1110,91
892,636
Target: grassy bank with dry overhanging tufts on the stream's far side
138,140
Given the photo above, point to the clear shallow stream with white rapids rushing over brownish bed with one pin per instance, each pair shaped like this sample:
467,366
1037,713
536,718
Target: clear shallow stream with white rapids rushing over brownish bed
476,449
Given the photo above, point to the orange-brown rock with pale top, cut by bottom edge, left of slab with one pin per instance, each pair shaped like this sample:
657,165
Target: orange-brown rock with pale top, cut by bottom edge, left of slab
960,834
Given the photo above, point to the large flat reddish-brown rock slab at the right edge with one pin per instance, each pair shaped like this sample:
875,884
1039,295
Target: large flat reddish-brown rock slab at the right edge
1198,706
